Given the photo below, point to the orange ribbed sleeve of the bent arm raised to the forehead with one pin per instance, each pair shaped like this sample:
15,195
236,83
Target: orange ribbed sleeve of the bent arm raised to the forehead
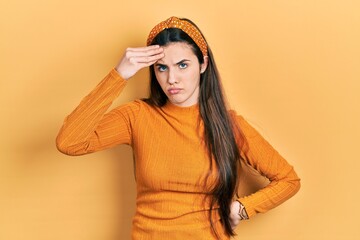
89,128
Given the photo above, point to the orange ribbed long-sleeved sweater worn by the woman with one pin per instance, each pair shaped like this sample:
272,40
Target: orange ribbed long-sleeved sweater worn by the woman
170,161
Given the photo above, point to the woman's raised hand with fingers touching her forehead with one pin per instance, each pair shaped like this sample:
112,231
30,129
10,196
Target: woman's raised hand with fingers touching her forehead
135,59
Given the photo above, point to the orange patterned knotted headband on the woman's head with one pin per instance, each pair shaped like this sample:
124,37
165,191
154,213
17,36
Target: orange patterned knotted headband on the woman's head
186,26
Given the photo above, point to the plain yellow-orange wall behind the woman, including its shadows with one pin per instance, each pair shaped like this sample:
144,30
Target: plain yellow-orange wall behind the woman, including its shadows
290,67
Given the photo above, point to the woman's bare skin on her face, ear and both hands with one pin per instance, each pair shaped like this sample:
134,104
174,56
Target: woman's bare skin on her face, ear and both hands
177,70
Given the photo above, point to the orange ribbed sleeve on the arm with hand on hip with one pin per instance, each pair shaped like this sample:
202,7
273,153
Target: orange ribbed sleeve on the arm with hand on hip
284,182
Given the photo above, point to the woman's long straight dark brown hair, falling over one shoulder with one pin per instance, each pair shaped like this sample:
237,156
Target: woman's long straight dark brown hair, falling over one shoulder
219,127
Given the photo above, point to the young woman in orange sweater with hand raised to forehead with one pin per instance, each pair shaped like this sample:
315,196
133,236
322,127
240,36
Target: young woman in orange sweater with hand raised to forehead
188,146
